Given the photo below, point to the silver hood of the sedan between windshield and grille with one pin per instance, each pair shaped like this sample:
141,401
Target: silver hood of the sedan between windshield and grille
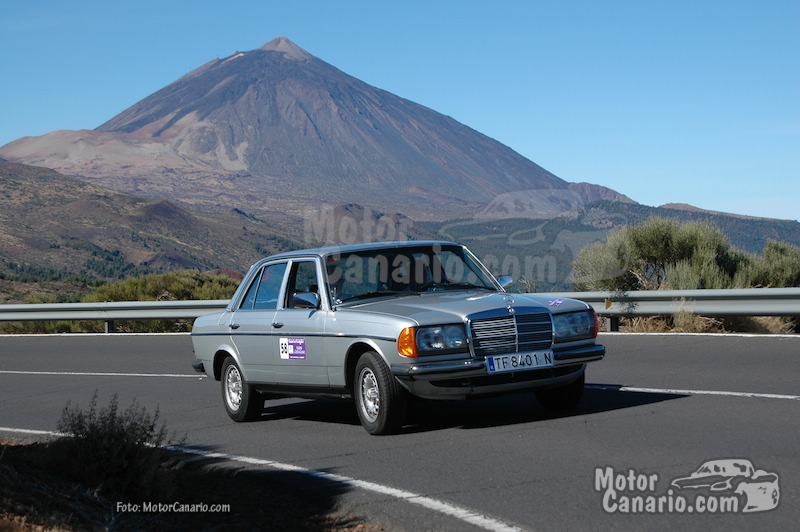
429,308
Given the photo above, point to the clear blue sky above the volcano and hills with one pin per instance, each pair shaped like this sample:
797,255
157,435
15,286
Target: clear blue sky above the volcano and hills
682,101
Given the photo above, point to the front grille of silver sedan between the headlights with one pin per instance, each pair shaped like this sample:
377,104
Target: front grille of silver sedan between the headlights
511,333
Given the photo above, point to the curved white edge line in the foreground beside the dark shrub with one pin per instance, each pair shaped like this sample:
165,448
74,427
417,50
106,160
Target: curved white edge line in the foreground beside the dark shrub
457,512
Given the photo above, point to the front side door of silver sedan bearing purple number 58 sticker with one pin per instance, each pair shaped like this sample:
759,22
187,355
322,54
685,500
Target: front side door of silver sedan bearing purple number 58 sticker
300,325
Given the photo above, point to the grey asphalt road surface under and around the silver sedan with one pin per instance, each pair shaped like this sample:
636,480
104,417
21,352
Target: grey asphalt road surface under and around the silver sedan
655,409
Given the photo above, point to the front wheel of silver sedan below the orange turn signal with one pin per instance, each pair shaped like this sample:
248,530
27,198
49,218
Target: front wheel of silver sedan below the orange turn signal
381,402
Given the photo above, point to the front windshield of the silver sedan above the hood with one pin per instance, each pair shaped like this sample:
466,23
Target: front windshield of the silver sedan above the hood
382,272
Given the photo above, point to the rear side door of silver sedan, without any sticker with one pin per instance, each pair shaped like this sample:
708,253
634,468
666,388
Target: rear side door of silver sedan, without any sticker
252,324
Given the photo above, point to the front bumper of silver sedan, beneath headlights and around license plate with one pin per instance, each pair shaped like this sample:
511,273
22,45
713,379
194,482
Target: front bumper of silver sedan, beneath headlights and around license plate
468,377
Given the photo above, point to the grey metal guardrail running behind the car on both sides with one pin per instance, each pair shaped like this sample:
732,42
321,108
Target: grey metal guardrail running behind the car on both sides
612,305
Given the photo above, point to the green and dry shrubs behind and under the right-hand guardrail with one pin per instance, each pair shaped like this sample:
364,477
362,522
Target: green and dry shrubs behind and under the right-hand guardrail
663,254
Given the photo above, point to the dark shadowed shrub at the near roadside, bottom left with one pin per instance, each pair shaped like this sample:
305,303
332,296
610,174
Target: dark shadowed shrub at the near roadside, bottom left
115,452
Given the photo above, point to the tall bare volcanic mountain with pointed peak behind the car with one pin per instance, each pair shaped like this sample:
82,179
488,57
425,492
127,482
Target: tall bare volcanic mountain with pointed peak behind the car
279,118
